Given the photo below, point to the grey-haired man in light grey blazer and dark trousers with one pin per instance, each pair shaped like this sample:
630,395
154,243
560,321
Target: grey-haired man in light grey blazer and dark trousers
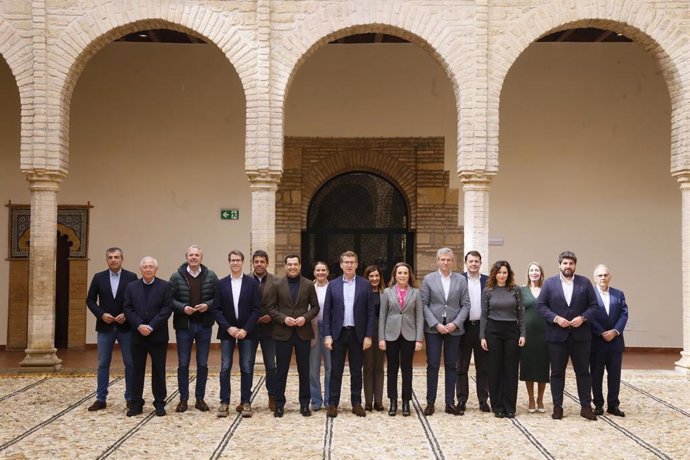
446,304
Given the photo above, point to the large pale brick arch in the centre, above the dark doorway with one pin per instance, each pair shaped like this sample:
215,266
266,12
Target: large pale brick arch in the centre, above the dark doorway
332,21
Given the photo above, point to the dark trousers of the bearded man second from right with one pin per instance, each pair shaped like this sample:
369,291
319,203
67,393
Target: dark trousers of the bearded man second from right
578,352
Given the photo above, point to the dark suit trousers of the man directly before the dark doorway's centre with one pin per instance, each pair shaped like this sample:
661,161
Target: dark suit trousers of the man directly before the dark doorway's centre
347,344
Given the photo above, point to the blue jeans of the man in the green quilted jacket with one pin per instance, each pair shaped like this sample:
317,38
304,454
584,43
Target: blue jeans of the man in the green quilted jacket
185,337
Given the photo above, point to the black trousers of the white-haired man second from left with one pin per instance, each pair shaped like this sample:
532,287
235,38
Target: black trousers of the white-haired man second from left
141,347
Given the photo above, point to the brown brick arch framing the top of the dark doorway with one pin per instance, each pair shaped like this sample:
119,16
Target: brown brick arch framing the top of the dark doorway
402,178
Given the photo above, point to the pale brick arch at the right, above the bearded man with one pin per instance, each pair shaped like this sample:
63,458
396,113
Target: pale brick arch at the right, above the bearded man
651,29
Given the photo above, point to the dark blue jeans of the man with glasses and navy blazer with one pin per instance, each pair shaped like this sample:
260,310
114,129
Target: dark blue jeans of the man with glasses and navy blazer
247,357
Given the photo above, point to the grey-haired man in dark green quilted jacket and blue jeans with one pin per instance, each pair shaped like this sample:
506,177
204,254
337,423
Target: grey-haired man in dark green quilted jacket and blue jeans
194,287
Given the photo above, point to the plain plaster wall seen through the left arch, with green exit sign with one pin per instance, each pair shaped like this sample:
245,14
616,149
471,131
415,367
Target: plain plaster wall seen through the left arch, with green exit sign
157,147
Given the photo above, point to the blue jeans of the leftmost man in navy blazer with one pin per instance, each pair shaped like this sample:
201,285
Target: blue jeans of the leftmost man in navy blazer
106,342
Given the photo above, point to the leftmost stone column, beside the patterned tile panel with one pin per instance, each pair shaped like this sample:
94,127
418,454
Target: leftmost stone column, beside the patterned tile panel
41,352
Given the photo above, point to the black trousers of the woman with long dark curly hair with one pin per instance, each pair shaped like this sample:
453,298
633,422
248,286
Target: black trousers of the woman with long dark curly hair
504,360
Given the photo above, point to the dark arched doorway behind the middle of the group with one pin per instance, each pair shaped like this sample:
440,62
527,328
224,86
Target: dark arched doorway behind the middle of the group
362,212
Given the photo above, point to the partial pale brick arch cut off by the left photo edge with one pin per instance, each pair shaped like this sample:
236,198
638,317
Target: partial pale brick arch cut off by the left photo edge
16,51
